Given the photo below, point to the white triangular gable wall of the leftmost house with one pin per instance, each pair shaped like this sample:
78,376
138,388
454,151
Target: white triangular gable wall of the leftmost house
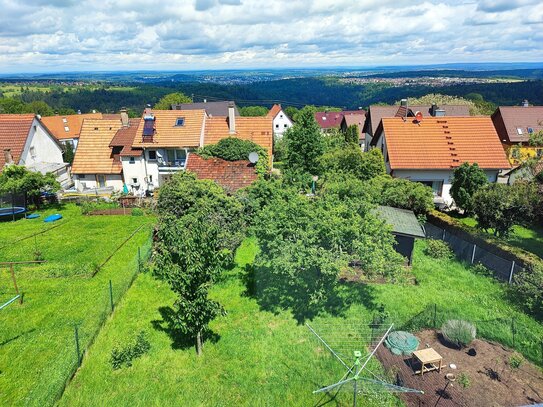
40,147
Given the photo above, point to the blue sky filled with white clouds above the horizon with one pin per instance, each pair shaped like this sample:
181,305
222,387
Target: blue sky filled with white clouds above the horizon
108,35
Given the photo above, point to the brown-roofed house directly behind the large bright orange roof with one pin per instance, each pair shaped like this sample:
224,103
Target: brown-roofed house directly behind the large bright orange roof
376,113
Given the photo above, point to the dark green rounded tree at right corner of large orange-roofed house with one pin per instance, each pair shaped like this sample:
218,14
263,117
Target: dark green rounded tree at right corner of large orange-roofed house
467,180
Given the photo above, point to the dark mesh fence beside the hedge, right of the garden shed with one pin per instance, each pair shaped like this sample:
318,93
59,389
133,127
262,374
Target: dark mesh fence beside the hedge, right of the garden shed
503,269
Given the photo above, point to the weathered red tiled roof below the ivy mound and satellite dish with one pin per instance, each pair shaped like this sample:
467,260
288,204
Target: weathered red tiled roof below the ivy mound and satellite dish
231,175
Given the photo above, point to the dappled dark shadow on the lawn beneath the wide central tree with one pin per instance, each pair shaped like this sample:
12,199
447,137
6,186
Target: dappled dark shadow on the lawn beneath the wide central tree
275,293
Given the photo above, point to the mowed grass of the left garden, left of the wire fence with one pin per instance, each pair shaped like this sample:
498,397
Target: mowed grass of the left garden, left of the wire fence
37,347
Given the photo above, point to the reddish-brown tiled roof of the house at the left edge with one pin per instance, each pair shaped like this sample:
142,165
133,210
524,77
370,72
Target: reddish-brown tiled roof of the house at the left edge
14,129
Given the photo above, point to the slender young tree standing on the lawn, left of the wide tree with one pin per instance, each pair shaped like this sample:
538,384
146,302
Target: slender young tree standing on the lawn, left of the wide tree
190,256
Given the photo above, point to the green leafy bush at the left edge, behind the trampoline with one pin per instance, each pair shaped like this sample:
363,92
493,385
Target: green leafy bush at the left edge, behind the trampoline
20,180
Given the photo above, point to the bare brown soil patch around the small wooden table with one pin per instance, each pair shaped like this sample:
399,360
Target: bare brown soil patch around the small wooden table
492,381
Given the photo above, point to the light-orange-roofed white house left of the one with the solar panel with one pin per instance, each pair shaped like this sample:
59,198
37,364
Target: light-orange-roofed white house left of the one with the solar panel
96,164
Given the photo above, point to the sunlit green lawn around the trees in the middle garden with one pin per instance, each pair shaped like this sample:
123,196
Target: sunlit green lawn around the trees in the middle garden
264,359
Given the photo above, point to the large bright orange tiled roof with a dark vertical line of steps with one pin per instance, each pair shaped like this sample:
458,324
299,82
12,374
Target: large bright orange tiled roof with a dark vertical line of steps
443,143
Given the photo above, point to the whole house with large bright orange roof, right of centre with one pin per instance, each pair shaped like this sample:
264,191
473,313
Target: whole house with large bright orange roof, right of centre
428,150
